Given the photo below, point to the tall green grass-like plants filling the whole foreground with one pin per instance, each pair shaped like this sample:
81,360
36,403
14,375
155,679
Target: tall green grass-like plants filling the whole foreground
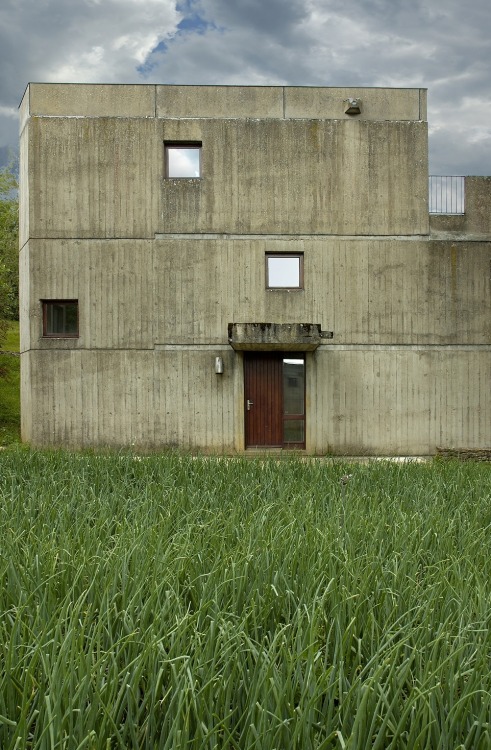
165,602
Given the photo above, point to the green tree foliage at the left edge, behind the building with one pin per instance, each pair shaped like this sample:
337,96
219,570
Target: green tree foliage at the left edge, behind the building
9,249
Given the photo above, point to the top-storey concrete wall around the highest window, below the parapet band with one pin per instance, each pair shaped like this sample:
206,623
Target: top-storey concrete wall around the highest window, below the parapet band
104,177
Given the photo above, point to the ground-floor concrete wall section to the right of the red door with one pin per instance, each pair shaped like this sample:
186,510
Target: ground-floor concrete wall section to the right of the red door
399,401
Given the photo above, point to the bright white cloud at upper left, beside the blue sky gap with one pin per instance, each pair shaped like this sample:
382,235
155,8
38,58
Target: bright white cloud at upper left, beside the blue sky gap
80,41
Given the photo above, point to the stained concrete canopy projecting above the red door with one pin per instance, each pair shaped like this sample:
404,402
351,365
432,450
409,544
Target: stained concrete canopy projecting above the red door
274,336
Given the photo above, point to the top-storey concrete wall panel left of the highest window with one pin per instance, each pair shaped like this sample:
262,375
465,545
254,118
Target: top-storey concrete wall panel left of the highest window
93,177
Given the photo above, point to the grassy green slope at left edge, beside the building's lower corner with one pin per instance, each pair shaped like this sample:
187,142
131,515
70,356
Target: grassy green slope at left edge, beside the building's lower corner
10,388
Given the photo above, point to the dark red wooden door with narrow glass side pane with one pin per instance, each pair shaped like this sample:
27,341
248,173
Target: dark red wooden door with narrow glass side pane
274,399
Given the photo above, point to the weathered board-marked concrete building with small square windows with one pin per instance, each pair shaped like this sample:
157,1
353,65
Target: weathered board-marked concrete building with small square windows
223,268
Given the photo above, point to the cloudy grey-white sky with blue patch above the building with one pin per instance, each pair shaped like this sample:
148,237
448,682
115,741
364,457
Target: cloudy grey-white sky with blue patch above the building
442,45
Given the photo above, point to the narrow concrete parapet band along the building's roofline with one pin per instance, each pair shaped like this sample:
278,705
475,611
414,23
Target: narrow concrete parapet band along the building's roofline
169,101
